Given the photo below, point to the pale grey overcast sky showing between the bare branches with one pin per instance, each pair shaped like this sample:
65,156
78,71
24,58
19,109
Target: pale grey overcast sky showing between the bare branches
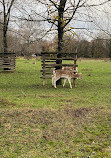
101,16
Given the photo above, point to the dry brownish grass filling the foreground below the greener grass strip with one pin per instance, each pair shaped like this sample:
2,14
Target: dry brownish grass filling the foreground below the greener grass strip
55,133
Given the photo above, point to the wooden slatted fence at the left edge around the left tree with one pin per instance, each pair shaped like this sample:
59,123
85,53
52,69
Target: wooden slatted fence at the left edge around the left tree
7,61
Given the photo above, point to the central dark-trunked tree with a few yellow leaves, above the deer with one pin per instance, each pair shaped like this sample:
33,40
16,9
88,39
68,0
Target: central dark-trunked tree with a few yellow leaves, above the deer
60,13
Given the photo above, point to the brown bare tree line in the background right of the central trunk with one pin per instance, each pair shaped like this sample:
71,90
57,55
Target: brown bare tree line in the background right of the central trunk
96,48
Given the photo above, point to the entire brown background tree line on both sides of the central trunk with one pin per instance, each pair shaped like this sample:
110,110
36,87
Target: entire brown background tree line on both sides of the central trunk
96,48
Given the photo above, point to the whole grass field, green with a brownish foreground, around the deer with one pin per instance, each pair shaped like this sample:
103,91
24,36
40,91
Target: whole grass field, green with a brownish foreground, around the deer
43,122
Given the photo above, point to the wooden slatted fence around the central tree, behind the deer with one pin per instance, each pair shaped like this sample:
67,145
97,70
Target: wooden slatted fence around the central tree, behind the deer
49,62
